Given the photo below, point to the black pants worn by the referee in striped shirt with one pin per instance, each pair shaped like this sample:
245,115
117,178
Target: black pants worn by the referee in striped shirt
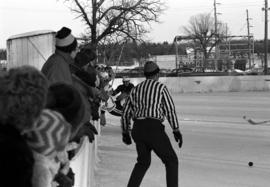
149,134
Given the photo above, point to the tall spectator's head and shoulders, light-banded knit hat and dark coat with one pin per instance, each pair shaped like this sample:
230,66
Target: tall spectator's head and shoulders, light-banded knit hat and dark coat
56,68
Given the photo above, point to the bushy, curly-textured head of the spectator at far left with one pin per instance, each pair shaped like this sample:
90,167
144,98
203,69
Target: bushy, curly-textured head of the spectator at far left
23,93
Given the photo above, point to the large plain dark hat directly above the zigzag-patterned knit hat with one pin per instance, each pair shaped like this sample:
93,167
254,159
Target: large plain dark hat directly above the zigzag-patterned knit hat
66,99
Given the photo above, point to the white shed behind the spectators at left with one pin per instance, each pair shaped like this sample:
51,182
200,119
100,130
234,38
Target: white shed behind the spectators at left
31,48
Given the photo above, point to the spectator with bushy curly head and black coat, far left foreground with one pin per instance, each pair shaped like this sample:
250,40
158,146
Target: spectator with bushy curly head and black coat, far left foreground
23,94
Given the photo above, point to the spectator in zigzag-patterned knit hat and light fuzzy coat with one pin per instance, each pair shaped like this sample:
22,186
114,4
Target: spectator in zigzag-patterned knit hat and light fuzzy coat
48,140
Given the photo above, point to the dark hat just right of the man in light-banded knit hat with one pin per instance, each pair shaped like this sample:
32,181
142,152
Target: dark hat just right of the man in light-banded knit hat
84,56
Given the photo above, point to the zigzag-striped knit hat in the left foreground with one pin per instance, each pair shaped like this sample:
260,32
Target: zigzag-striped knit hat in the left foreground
51,133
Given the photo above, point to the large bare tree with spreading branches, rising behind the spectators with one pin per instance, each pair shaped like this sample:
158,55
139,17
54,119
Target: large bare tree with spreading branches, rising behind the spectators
115,20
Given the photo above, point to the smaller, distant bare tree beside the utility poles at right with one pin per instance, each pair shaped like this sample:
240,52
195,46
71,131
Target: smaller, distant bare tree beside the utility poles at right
201,28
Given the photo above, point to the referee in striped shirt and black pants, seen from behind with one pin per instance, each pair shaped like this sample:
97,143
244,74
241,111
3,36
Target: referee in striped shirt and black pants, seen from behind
148,104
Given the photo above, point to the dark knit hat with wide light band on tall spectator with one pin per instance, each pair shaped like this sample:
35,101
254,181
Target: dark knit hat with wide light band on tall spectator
65,41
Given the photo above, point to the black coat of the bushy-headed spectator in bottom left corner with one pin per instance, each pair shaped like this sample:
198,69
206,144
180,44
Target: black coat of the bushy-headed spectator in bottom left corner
16,158
